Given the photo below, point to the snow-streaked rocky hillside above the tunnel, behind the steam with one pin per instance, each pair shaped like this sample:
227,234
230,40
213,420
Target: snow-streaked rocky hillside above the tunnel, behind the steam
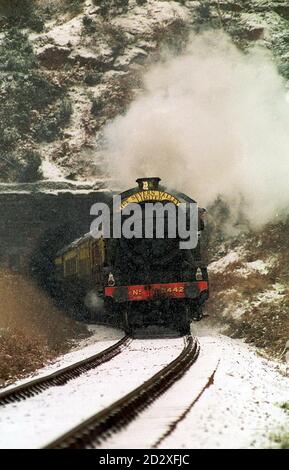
96,57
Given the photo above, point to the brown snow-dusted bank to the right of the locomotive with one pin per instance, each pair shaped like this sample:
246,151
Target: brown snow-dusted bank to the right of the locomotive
249,287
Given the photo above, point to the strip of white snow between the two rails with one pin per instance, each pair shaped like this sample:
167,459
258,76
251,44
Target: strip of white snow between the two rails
39,420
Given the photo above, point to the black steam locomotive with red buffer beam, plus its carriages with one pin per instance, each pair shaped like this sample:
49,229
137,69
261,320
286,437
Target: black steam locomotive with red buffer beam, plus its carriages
138,281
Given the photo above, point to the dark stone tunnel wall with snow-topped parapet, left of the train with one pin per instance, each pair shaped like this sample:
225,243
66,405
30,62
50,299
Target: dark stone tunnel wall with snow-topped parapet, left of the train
36,224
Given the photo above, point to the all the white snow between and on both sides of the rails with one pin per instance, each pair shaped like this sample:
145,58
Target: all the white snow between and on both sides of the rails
239,410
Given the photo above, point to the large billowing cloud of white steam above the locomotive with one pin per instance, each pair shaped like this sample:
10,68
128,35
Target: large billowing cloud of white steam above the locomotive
212,121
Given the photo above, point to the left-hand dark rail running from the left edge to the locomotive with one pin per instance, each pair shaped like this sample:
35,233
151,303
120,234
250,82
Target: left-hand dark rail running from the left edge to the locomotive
62,376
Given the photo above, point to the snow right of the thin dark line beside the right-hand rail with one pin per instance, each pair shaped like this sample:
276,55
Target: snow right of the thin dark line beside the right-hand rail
242,408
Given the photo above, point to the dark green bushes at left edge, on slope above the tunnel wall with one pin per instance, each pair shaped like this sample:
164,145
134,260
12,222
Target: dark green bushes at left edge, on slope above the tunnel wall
25,94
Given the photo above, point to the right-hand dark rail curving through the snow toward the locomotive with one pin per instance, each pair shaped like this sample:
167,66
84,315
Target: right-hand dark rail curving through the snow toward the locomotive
93,431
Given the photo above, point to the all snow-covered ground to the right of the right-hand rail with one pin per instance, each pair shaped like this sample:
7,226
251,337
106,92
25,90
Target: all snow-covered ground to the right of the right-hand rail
239,410
